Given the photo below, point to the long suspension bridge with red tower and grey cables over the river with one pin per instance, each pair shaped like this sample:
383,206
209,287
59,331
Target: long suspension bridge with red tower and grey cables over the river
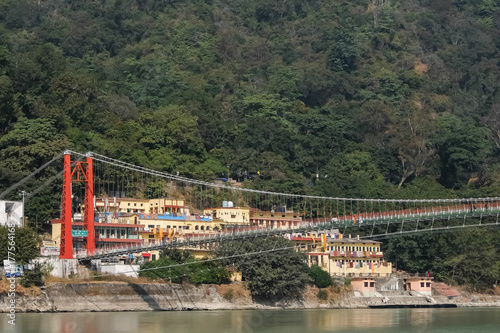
93,175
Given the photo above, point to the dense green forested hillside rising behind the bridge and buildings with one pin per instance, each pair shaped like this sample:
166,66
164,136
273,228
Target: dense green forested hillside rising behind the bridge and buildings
359,98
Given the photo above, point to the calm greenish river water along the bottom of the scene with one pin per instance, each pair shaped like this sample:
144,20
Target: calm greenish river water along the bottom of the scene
456,320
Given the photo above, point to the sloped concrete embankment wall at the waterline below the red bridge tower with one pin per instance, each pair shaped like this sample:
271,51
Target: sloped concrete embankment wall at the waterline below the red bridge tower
116,296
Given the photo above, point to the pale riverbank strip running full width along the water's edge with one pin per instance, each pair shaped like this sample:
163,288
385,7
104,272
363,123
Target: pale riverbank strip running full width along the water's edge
129,296
